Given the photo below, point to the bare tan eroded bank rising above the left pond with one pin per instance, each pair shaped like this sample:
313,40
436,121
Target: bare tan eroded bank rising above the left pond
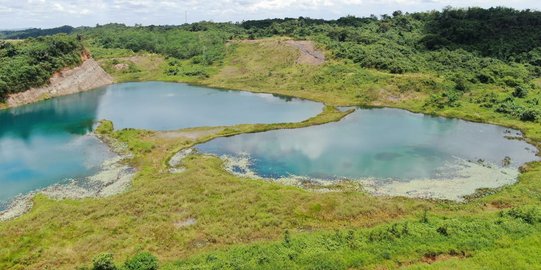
87,76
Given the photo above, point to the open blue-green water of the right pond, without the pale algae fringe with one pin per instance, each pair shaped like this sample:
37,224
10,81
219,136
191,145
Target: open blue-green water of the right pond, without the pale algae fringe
385,144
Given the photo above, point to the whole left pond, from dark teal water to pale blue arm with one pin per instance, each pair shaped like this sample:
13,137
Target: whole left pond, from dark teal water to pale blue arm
49,142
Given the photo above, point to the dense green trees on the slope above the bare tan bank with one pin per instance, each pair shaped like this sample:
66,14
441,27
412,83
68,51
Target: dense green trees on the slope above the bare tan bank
32,62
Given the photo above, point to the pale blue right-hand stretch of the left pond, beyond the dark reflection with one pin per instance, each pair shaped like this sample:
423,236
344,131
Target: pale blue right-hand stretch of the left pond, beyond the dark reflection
165,106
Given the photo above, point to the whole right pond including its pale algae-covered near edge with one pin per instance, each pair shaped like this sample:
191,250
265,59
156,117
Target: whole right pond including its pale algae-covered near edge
390,151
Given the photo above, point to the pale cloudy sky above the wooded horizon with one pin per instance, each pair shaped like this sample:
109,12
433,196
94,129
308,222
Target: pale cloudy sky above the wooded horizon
45,13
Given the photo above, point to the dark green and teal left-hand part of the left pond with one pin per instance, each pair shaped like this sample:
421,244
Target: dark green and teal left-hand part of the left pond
46,142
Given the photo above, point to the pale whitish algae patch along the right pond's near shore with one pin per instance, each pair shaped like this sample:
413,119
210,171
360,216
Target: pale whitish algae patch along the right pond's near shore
455,180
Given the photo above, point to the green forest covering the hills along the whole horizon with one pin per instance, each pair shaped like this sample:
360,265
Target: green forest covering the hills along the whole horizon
468,48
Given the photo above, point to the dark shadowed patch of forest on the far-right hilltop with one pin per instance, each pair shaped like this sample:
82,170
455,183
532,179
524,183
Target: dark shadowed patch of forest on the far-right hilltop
500,32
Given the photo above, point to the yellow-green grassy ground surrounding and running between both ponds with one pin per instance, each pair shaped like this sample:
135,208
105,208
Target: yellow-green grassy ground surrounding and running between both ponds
252,224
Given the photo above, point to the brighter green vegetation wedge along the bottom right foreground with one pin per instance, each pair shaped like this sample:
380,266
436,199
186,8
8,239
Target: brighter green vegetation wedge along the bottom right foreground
412,243
